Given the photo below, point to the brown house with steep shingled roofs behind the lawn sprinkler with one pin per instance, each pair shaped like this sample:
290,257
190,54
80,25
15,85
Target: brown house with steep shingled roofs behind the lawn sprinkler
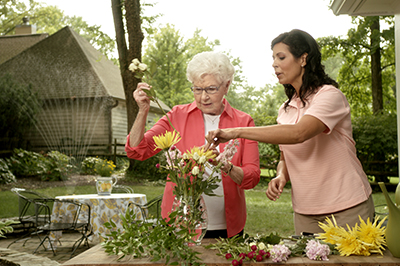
84,107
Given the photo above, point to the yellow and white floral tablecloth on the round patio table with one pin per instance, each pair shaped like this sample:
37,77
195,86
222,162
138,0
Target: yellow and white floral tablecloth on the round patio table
102,209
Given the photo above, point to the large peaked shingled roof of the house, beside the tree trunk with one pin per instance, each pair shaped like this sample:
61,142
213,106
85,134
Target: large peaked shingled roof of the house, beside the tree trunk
65,65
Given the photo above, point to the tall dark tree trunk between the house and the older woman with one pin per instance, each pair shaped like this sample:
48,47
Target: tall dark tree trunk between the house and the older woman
135,38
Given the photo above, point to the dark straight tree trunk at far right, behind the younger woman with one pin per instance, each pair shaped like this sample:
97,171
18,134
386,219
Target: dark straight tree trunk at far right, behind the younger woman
376,70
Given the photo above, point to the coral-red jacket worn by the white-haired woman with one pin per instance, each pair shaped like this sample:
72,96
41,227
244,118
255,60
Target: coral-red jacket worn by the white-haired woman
188,121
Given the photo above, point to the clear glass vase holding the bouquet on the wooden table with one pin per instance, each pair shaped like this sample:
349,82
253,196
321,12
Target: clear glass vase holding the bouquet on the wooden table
191,218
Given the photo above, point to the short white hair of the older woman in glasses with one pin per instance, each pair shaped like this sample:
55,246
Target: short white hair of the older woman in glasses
211,63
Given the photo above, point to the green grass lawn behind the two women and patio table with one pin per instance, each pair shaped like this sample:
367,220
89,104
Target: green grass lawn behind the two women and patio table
263,215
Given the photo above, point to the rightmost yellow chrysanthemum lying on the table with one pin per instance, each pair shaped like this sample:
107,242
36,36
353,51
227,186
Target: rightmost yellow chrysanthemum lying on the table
373,234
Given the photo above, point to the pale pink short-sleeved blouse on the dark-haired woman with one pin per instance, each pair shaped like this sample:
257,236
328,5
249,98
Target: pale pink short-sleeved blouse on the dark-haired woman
325,172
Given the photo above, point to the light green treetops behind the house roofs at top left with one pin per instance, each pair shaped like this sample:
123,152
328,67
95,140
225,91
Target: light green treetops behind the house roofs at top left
50,19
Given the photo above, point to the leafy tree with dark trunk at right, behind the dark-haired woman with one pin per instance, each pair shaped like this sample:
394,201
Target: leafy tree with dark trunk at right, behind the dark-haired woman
366,75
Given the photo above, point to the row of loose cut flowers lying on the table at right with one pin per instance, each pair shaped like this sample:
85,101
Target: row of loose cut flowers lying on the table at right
361,240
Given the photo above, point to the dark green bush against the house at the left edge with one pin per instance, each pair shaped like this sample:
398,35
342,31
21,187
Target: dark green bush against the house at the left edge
19,107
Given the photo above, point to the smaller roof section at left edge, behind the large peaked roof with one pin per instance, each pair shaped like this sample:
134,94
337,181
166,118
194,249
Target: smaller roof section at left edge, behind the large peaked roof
12,45
